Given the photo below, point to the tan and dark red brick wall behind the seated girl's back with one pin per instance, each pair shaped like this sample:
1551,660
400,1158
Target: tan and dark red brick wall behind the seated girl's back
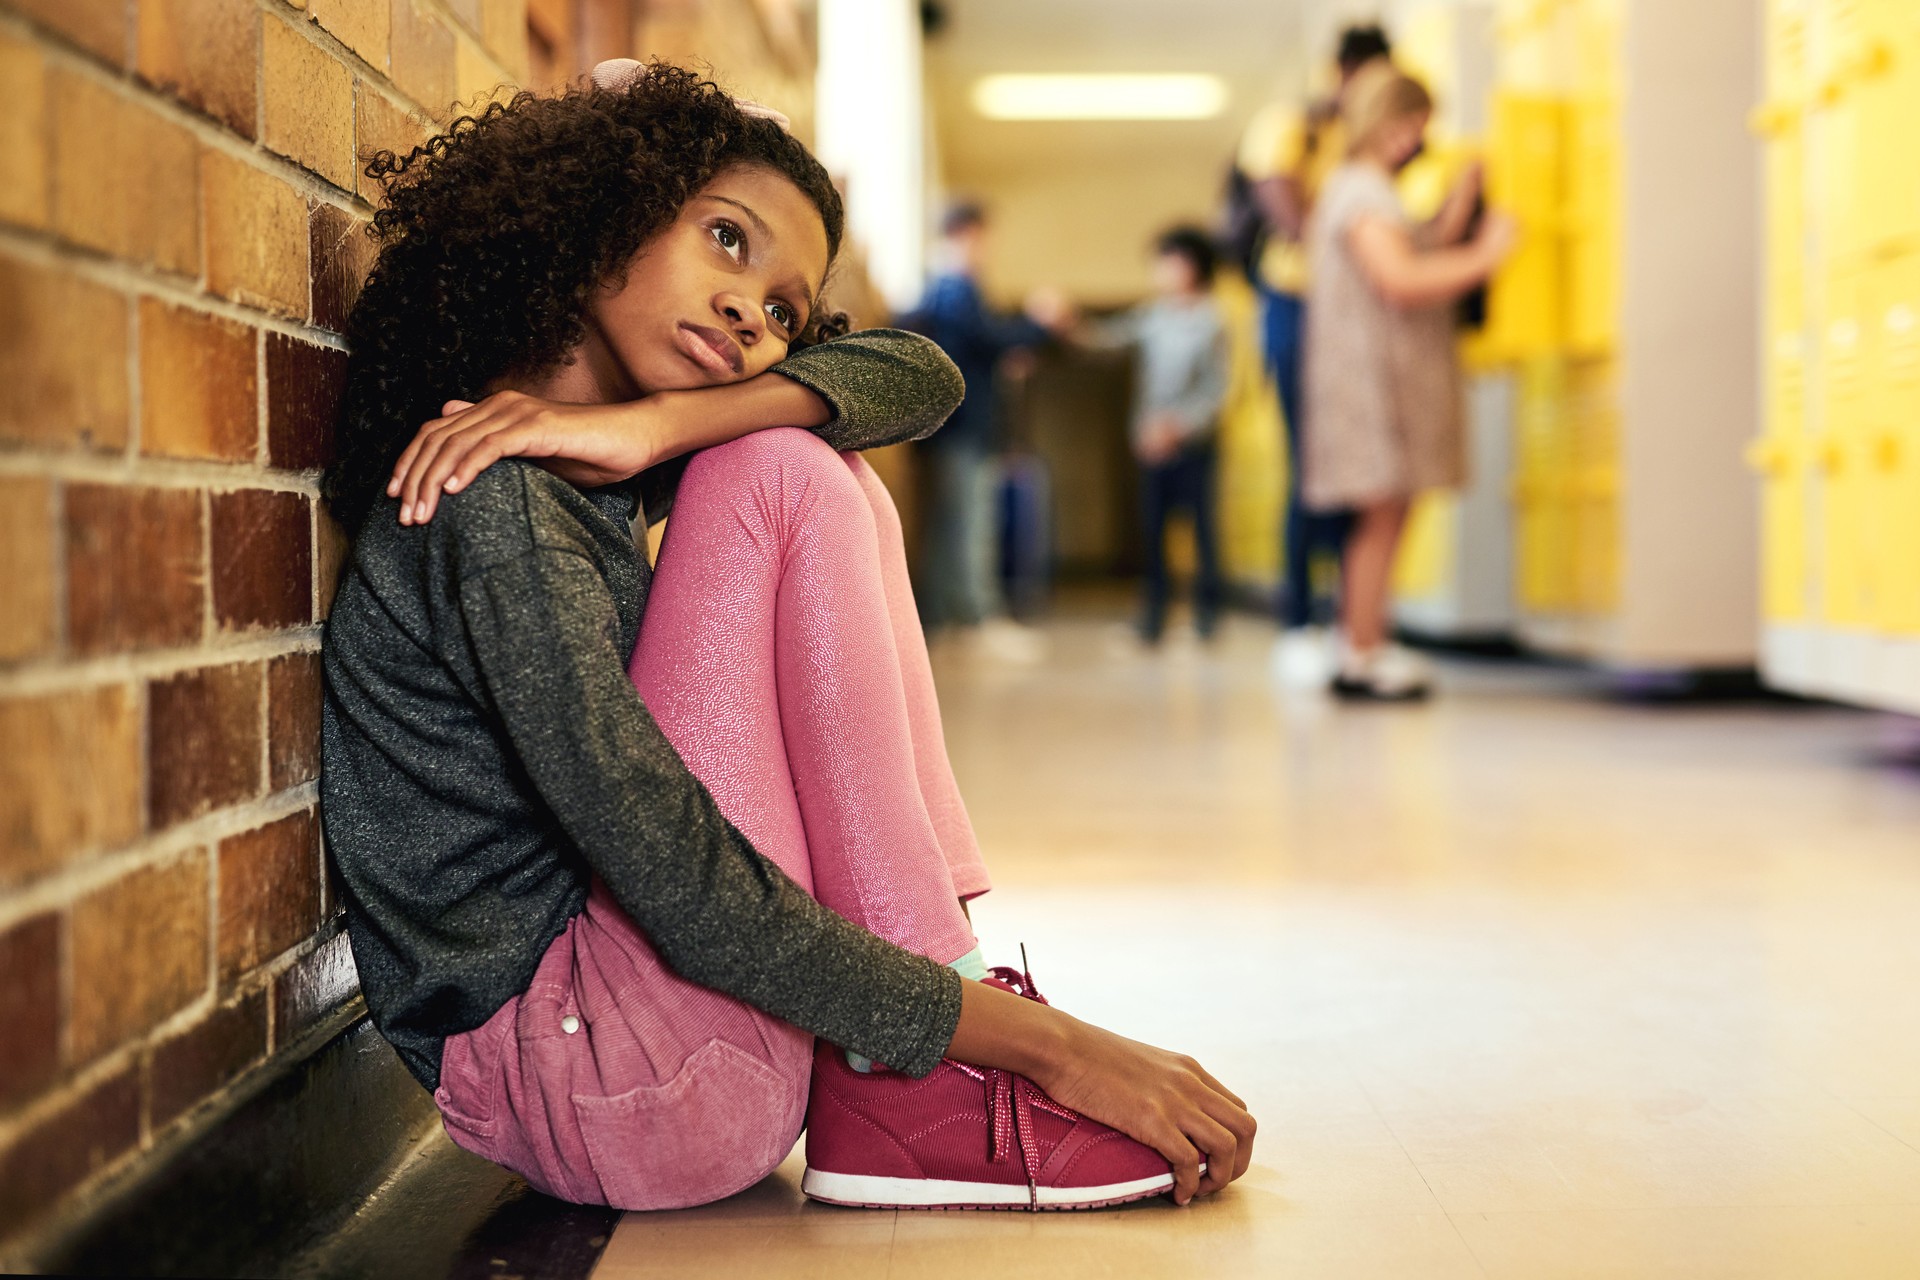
180,243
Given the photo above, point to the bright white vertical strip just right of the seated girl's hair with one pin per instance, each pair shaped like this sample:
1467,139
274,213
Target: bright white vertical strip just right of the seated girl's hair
871,133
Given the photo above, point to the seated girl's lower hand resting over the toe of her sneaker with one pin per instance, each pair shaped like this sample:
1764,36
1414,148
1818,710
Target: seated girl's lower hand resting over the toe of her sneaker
1164,1101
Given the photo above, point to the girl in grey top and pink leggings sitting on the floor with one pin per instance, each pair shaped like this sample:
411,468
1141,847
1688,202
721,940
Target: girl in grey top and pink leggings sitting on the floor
621,843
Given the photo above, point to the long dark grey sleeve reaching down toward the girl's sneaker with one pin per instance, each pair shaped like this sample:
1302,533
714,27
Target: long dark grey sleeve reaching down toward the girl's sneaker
717,911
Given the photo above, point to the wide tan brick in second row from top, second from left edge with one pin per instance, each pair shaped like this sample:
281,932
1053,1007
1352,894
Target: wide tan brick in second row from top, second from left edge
126,181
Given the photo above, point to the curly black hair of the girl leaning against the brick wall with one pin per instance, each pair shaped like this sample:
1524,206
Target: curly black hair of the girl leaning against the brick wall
496,235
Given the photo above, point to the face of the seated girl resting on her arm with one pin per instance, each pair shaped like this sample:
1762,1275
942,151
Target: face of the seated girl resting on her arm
723,293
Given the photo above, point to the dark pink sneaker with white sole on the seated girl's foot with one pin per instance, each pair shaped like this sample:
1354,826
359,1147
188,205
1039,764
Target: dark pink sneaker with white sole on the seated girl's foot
965,1139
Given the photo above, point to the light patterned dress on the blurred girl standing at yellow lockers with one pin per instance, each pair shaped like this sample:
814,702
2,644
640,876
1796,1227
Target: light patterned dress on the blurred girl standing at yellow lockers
1383,394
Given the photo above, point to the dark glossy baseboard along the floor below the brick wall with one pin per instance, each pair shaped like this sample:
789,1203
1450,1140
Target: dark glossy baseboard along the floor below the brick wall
335,1168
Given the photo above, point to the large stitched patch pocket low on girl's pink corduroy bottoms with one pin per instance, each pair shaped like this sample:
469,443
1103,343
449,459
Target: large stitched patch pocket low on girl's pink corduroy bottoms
715,1129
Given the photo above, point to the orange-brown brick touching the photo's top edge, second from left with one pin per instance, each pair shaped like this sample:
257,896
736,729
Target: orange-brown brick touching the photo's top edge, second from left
204,53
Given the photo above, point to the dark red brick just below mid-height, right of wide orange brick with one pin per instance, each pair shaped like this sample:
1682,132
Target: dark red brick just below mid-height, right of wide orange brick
204,746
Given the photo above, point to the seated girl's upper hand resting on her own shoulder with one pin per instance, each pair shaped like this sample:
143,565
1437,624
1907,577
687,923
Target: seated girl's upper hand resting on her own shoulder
583,444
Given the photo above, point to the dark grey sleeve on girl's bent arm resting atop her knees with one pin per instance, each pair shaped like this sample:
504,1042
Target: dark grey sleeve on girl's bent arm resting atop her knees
884,385
